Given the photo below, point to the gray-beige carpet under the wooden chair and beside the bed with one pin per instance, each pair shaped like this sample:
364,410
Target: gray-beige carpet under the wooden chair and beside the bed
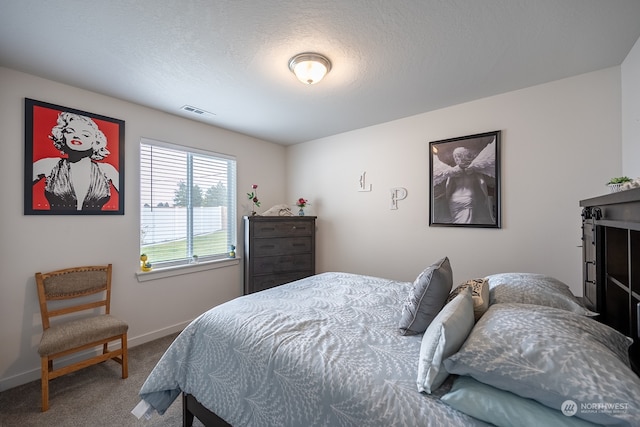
94,396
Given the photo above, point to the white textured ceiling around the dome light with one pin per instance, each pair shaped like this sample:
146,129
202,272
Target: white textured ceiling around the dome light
391,59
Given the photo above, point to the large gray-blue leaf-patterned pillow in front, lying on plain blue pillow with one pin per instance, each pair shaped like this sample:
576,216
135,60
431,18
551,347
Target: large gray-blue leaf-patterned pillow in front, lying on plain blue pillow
560,359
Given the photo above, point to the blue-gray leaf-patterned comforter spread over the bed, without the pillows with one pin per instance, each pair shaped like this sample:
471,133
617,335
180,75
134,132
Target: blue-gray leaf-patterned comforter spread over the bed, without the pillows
321,351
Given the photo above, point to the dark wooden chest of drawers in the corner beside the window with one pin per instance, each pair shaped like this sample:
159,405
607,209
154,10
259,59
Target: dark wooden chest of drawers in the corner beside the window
277,250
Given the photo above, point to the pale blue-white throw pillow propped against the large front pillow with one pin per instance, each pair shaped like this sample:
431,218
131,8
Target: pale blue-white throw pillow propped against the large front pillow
444,337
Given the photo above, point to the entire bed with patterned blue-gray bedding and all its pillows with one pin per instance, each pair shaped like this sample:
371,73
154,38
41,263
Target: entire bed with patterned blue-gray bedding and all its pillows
340,349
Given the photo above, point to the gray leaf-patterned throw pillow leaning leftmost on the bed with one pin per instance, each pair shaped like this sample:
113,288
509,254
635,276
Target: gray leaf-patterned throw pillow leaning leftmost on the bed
426,298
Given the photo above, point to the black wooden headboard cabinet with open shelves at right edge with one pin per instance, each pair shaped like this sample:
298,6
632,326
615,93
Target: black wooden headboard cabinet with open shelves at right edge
611,262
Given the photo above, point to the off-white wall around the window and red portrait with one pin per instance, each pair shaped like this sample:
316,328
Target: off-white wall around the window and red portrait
42,243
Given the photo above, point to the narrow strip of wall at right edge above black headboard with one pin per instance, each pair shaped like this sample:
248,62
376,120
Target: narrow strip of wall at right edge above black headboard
631,113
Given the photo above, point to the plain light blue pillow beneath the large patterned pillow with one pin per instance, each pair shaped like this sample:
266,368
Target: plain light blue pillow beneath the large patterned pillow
504,409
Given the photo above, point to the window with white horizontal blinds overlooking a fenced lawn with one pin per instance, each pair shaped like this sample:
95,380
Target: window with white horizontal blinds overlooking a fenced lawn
187,204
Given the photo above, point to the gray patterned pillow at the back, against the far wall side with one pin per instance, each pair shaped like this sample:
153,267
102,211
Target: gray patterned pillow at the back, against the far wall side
530,288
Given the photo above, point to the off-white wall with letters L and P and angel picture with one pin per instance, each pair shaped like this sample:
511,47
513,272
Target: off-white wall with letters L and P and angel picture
560,144
